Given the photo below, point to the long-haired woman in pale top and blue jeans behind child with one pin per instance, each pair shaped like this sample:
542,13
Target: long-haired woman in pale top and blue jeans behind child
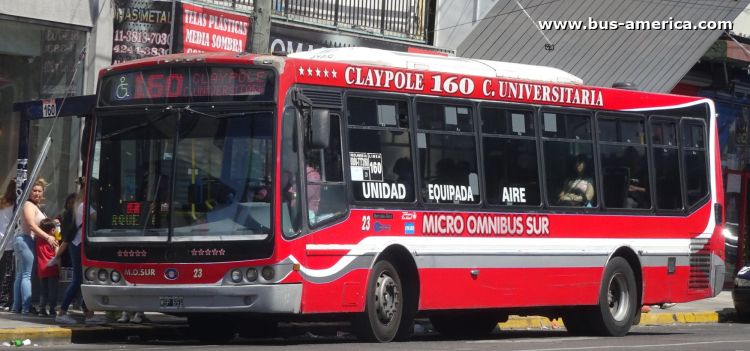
25,247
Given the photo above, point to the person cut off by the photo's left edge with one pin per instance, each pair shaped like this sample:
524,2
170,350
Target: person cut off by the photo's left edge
7,271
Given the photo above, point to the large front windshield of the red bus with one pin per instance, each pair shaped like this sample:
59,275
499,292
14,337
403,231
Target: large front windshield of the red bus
213,172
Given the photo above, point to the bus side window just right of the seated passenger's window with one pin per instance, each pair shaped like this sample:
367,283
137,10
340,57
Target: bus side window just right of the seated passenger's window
623,155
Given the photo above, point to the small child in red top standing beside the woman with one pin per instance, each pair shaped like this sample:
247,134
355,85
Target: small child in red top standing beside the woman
48,276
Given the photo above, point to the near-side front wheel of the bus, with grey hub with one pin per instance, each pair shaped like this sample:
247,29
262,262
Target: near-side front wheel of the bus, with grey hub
384,306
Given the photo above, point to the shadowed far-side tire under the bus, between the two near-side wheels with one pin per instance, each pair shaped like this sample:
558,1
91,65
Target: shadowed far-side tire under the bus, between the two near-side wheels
465,325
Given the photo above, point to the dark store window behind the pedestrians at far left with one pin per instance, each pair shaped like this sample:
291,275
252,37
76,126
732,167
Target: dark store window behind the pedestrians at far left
37,62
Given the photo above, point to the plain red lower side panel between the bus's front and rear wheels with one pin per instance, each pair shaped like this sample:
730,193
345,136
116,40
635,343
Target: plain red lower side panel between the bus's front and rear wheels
443,288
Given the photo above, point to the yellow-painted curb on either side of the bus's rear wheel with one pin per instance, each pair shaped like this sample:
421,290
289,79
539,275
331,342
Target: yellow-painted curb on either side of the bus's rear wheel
536,322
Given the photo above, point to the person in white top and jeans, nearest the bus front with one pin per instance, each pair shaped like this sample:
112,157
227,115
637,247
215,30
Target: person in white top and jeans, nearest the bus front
75,256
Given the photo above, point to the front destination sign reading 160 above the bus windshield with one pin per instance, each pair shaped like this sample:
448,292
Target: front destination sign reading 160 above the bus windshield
186,85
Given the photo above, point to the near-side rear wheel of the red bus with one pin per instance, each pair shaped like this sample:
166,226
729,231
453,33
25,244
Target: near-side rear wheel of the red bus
614,314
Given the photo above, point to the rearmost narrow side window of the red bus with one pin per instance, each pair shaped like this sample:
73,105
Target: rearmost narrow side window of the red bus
694,162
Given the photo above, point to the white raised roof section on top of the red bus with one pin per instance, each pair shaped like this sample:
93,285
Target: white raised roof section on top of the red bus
442,64
